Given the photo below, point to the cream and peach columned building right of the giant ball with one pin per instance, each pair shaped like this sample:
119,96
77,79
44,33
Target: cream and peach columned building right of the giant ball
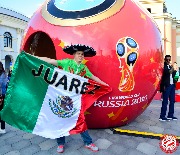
168,25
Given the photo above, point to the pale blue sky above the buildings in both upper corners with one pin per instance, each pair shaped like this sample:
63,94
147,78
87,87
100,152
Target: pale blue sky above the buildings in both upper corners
28,7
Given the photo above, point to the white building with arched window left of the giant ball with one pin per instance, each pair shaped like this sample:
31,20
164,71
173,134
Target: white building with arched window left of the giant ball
12,26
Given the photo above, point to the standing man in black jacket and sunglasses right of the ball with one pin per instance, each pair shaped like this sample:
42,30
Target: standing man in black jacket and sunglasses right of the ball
167,87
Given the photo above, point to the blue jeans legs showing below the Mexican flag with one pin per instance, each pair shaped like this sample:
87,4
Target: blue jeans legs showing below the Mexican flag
85,136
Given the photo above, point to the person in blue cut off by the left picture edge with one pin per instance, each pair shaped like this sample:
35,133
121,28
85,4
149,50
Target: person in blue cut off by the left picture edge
3,86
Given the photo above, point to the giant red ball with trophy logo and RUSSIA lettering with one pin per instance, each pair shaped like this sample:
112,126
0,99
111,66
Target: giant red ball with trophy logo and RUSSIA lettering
128,45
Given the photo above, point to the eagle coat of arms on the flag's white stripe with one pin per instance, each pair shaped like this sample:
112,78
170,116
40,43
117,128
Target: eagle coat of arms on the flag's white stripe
62,106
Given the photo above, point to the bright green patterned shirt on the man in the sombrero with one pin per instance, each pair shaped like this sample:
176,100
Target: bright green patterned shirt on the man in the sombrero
71,66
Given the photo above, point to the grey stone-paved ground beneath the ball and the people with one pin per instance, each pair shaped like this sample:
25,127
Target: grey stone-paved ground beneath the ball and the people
17,142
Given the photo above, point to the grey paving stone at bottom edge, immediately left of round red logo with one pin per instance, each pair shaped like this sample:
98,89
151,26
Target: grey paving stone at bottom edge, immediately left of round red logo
147,148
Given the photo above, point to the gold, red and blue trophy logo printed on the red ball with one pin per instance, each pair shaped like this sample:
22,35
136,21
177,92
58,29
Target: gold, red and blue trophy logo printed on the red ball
127,53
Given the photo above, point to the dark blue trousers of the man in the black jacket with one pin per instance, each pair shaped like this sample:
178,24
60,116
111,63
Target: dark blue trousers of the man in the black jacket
168,94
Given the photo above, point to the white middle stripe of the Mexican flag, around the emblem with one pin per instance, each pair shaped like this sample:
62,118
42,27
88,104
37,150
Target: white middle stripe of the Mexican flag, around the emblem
50,125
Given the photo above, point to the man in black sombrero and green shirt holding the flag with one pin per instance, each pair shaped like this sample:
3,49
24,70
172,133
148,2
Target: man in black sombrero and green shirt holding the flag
75,66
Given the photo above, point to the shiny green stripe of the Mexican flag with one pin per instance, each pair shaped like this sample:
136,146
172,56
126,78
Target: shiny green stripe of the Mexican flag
24,88
